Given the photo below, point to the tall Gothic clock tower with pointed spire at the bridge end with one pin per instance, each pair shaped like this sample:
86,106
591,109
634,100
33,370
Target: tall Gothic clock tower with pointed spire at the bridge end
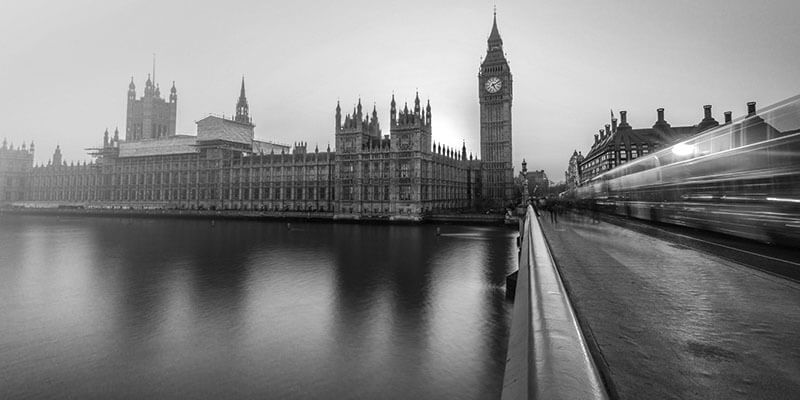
495,93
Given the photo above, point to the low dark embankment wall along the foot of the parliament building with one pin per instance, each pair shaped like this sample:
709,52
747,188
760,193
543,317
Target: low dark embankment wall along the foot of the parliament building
456,219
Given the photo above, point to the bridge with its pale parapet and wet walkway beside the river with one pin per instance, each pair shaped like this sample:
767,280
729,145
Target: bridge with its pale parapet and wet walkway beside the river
614,307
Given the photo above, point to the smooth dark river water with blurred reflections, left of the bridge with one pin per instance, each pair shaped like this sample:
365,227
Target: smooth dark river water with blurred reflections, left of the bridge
159,308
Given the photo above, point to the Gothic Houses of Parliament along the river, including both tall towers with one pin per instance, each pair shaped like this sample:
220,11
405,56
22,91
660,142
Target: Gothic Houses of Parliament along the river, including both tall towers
402,175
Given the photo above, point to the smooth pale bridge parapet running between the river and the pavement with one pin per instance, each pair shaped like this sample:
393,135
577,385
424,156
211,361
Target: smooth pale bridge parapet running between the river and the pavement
547,354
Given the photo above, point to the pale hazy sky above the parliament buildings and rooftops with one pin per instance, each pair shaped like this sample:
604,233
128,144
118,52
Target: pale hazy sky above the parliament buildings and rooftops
65,66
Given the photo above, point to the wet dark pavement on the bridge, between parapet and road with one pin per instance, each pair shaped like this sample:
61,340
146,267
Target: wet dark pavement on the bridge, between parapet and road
667,321
